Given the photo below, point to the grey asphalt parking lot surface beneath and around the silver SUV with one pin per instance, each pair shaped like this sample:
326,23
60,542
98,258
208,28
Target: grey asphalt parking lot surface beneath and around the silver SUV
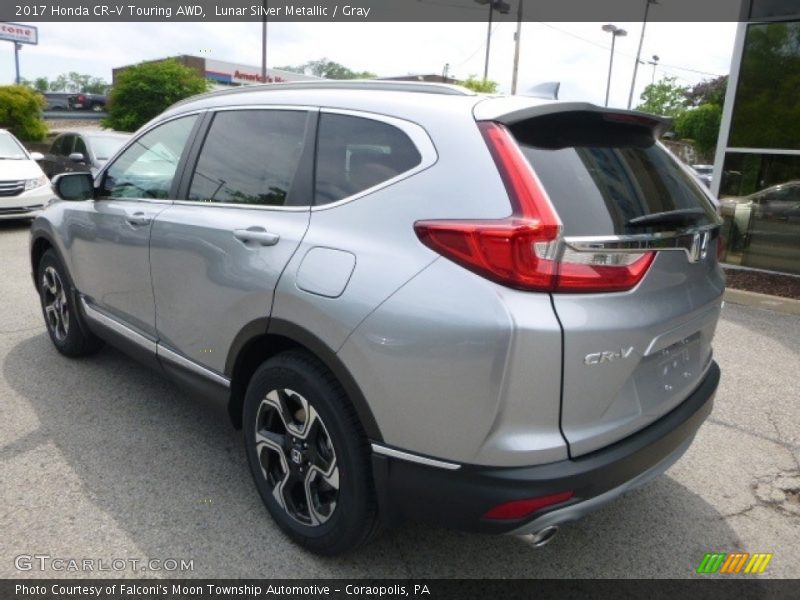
102,459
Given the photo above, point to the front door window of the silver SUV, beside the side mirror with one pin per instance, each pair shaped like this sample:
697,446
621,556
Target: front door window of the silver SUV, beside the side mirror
147,167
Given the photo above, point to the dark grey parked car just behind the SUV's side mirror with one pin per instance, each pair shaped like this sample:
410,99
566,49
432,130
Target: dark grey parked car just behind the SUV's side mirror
77,151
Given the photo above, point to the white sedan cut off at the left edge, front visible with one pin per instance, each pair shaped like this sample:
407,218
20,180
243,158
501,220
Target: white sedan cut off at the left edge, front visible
24,188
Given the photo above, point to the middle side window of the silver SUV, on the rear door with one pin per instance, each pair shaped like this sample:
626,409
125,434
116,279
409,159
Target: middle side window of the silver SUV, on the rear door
250,157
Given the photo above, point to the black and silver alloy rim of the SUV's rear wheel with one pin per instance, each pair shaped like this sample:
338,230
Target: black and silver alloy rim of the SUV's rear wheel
297,458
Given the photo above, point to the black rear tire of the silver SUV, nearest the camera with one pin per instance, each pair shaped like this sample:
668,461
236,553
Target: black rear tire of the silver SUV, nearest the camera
354,519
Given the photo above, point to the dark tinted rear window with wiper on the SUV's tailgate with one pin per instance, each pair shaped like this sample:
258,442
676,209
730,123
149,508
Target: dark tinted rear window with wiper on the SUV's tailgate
601,176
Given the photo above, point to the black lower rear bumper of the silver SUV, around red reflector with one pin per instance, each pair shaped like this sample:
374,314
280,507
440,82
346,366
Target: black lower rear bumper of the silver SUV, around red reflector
459,498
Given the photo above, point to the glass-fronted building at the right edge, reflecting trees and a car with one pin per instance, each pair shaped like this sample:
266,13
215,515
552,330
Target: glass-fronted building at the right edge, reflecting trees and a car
757,165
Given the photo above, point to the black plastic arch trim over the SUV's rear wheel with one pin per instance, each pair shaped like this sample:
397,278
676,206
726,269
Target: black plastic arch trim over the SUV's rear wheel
264,338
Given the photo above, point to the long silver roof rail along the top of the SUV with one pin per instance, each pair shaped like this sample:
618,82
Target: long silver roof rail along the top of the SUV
352,84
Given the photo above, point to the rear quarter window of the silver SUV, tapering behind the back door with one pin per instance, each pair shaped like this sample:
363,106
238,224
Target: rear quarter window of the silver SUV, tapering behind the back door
354,154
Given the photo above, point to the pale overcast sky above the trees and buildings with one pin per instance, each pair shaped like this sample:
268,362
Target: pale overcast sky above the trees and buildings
576,54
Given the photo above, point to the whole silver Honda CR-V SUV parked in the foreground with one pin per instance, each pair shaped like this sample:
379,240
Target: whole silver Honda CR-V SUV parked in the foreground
493,313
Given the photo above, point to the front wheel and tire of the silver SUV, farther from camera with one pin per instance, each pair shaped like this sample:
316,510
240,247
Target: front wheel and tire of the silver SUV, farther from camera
67,331
